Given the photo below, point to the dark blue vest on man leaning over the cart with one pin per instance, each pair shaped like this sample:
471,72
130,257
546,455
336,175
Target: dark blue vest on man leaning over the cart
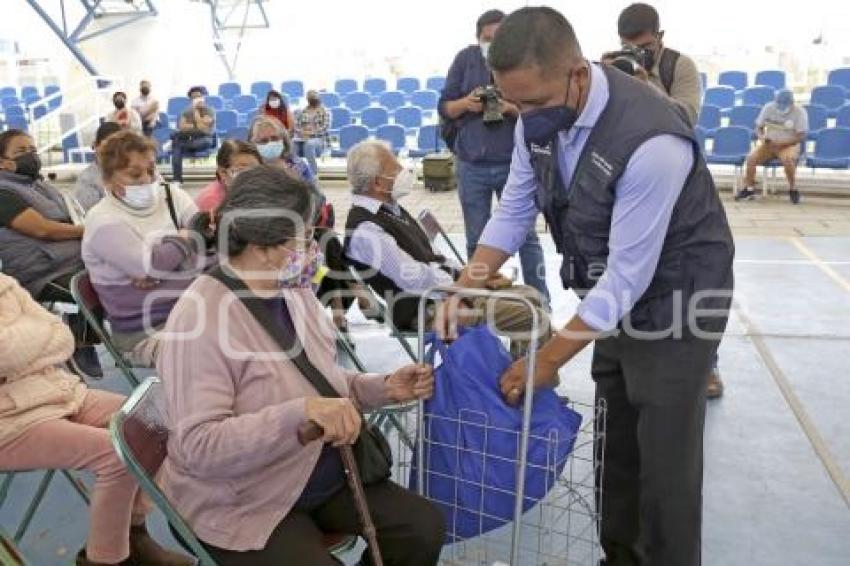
698,249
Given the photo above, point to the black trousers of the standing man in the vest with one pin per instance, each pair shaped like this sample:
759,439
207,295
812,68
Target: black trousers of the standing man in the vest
651,489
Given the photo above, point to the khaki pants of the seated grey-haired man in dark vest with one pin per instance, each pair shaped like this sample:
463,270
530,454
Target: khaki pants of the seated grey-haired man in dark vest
507,318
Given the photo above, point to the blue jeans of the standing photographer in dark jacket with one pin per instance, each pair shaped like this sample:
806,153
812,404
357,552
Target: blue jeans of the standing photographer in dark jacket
477,184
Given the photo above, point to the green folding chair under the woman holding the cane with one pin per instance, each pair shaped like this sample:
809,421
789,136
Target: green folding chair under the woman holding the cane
140,436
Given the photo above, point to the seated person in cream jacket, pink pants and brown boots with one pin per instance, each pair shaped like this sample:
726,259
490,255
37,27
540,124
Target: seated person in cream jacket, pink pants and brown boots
50,420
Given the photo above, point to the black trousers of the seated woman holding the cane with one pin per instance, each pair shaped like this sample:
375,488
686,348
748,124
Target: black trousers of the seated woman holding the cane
410,531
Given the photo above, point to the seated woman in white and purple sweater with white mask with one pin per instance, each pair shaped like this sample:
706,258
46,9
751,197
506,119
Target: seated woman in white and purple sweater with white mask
139,255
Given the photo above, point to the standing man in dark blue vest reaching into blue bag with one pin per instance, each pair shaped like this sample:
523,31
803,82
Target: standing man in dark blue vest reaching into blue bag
632,208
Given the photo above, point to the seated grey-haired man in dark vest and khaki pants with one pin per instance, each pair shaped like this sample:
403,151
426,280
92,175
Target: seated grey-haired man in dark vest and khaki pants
390,249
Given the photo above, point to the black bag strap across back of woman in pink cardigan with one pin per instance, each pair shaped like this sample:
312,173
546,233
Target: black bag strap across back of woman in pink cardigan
286,342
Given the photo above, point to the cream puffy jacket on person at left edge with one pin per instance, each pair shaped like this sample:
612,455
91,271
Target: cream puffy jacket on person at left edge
33,342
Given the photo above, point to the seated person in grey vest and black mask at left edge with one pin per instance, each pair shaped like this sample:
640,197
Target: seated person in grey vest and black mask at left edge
39,244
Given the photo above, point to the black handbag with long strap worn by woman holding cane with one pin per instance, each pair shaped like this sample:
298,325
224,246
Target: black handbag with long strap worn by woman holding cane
371,450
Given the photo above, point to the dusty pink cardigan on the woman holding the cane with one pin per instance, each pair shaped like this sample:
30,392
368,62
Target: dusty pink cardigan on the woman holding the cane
235,467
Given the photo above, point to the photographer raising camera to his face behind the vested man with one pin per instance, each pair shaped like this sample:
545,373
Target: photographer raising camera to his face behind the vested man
645,56
